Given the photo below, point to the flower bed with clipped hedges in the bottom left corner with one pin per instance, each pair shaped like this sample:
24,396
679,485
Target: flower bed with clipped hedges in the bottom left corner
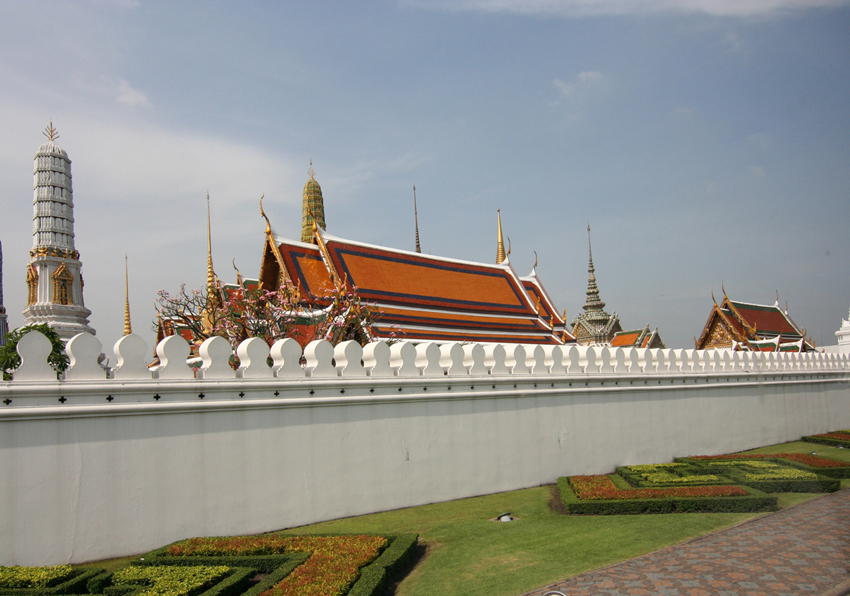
268,565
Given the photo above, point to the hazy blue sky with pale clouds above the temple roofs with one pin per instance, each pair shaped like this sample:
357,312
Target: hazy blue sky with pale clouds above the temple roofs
706,142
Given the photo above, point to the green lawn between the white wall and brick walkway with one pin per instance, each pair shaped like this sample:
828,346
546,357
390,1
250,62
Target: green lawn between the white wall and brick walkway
467,554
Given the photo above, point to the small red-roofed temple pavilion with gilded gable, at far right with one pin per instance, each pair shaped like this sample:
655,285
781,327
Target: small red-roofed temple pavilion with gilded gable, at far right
751,327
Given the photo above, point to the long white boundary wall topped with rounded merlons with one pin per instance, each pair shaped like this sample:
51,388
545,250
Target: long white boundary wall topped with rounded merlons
92,468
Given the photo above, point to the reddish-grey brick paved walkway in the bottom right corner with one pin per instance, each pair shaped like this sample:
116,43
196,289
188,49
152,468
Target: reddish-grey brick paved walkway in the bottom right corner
800,550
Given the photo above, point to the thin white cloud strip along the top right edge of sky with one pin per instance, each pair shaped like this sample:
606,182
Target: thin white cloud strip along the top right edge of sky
584,8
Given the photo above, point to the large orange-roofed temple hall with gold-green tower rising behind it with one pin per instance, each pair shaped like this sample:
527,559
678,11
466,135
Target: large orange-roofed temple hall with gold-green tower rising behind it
420,297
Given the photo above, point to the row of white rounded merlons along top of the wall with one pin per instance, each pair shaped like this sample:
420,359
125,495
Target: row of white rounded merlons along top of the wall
401,359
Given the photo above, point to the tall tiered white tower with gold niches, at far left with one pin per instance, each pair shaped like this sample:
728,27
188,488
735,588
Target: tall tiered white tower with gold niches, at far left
54,280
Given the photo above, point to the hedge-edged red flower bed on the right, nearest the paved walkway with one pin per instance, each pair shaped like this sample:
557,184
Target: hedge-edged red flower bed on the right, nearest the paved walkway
613,495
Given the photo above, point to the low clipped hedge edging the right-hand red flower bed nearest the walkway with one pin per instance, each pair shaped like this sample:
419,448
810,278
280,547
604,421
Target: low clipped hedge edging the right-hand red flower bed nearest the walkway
754,500
